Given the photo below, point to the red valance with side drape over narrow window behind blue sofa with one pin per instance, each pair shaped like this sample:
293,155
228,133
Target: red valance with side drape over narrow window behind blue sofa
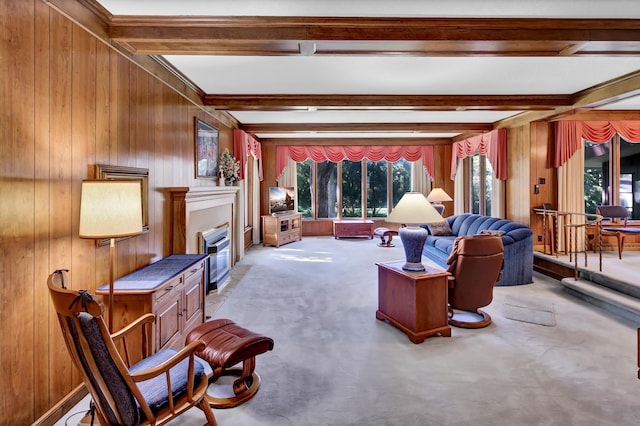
492,145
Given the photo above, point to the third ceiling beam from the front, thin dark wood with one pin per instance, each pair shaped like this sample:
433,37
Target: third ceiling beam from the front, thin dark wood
367,127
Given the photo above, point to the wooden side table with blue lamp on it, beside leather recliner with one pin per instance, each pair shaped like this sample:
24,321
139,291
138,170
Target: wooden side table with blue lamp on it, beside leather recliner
414,302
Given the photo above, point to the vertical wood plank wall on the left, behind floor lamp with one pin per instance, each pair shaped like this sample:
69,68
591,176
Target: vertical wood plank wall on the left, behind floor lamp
70,101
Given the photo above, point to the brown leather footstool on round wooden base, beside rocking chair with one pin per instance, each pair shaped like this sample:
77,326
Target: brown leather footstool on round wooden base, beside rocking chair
227,344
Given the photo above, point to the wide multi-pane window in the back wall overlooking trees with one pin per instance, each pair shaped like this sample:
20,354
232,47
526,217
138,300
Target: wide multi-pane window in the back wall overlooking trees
350,189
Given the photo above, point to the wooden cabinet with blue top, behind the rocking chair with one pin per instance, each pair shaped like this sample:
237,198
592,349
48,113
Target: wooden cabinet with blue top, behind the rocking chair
172,289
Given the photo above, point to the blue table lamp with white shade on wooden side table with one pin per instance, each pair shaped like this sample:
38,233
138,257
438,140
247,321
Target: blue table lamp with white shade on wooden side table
413,209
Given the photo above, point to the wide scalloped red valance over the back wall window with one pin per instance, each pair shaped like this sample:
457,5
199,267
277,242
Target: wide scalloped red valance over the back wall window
354,153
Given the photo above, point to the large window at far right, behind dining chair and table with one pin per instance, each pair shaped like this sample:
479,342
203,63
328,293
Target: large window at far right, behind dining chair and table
611,175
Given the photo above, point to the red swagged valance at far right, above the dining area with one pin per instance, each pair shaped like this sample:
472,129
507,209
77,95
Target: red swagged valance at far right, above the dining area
569,135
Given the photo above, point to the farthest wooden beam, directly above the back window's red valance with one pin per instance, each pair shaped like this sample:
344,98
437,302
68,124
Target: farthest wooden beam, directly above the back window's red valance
356,141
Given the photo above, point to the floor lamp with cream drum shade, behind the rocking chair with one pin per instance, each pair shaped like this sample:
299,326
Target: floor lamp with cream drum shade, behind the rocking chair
110,209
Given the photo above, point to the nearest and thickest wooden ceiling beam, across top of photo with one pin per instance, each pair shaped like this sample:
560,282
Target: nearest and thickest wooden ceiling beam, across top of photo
282,35
